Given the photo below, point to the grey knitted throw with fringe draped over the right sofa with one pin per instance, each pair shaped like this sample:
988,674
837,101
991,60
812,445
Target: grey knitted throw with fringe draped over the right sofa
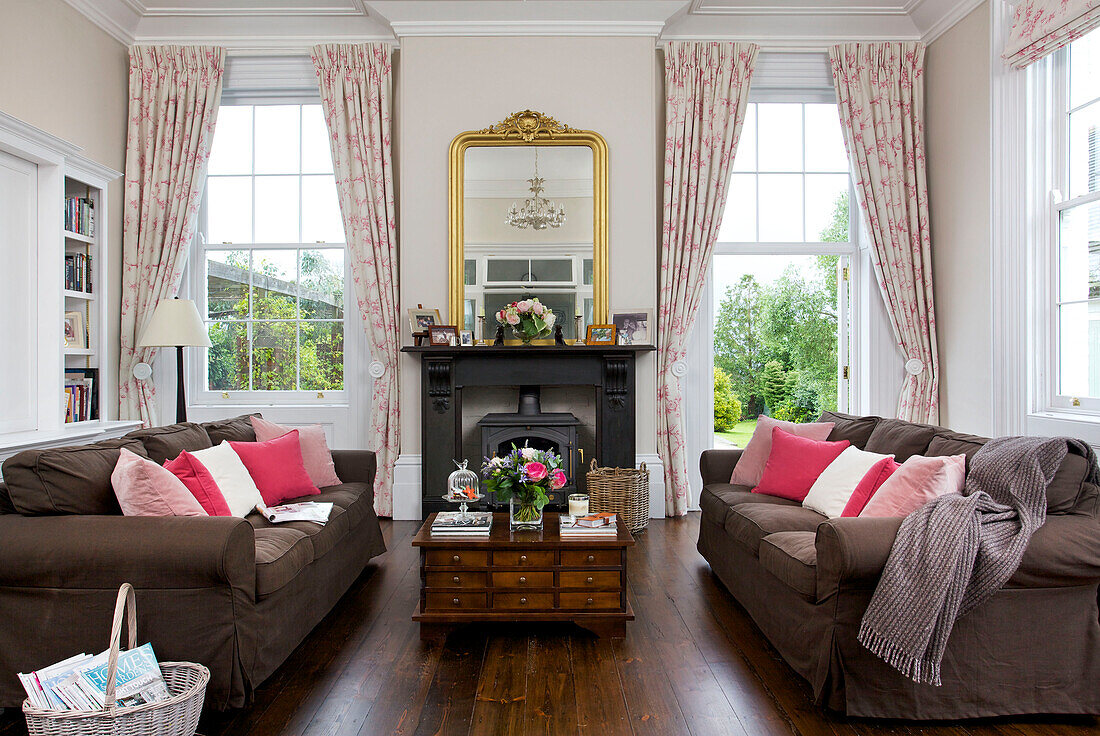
958,551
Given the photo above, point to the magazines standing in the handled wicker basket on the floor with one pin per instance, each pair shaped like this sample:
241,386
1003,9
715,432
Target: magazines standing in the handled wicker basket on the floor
80,684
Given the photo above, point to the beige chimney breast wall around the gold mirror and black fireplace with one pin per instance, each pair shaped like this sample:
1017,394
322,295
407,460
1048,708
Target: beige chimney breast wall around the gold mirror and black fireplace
449,85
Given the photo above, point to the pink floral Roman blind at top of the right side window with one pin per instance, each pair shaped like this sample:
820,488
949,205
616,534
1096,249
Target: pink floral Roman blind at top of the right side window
1043,27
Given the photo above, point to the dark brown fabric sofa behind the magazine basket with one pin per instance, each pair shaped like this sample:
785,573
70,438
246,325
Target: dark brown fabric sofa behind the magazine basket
237,596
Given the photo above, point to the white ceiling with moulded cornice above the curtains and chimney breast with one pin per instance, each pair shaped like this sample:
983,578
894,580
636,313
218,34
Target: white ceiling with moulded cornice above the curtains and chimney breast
245,26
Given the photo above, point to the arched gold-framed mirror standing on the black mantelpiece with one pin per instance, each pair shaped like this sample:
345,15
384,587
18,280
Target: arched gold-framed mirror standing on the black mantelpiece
529,218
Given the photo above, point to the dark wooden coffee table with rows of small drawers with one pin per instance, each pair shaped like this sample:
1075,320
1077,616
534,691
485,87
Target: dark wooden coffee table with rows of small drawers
523,577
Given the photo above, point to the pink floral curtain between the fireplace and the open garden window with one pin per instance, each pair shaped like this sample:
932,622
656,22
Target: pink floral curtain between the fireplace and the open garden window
707,94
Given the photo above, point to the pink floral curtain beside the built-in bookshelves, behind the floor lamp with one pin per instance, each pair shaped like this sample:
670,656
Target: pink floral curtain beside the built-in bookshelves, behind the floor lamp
174,97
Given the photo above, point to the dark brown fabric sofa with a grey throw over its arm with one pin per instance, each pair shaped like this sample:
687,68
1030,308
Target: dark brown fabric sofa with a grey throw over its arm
806,580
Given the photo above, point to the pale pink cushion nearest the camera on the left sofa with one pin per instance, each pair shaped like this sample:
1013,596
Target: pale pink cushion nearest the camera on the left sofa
146,489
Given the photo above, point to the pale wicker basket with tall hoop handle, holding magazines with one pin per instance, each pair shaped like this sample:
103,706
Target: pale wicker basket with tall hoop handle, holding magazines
177,717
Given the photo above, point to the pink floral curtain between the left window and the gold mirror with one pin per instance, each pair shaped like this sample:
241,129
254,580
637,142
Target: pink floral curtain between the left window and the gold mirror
356,91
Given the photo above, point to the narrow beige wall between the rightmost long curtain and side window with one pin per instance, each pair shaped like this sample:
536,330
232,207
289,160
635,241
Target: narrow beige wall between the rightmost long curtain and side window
958,127
